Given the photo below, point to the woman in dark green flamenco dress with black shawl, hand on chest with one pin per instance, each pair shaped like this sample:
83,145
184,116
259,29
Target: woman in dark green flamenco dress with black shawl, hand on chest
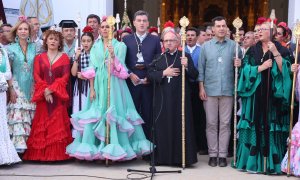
264,87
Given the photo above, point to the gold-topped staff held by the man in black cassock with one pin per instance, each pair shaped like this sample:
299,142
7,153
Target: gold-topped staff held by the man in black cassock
184,22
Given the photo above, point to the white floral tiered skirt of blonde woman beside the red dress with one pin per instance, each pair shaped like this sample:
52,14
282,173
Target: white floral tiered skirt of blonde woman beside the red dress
19,117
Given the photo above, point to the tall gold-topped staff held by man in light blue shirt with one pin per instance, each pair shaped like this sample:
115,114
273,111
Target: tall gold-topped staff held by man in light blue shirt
237,23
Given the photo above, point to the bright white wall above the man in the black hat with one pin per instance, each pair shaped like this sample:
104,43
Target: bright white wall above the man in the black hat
69,9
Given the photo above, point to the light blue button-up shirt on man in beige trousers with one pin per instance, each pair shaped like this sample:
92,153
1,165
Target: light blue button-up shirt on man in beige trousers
215,66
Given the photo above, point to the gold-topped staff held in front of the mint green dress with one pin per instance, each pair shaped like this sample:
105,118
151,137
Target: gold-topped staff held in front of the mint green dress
111,22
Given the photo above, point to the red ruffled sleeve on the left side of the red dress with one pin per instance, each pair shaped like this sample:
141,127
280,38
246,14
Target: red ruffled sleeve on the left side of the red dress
40,85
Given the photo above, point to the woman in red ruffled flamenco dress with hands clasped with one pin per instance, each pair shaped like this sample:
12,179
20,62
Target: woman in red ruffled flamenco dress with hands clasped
50,132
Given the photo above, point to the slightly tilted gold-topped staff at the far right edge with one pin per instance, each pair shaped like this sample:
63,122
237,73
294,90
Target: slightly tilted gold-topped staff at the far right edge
297,36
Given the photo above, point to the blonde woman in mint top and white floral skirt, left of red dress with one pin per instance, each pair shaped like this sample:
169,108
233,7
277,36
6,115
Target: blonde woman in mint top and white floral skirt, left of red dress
20,110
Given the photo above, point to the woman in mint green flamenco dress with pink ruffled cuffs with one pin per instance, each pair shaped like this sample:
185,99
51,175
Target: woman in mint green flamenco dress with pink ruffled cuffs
127,139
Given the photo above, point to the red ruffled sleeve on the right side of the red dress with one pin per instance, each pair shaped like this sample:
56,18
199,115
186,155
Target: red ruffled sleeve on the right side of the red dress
59,86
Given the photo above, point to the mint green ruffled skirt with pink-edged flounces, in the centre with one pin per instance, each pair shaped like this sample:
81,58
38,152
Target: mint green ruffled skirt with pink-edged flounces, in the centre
127,139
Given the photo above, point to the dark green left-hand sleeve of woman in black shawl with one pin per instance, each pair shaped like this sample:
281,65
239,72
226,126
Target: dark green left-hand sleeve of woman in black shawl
249,78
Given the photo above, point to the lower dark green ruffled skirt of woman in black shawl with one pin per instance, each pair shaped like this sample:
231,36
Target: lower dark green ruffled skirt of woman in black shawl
250,157
